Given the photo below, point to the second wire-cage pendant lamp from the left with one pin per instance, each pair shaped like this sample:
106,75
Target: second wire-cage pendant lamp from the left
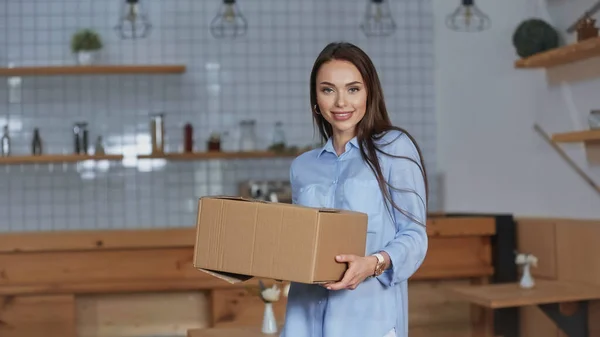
229,21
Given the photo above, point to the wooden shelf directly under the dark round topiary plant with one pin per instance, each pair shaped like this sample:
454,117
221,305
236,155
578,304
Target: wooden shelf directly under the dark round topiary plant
562,55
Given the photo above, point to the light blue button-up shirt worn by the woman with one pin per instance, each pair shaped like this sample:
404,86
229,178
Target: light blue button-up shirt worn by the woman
321,178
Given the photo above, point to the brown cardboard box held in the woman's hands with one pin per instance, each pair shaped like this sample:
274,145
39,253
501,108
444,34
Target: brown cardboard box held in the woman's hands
238,238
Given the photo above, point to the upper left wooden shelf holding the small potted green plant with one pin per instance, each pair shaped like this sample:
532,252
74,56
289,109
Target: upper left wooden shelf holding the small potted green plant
92,70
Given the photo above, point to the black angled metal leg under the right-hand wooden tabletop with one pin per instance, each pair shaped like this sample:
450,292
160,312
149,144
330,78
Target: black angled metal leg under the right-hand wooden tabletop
575,325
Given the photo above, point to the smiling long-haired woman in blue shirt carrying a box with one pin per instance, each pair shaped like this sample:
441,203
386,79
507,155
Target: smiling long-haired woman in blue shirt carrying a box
366,165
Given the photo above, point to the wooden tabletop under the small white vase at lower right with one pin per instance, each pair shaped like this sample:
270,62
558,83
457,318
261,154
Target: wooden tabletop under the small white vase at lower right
507,295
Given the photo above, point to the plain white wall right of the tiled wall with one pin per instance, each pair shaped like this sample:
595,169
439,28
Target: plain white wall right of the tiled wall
491,158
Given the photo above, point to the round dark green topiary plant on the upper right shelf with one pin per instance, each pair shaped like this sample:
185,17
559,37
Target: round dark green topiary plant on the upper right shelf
534,36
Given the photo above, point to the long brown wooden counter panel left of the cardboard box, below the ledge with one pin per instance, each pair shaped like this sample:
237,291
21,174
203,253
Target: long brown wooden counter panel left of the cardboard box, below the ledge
57,268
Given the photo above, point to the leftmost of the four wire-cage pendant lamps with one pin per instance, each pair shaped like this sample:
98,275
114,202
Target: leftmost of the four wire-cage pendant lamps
133,22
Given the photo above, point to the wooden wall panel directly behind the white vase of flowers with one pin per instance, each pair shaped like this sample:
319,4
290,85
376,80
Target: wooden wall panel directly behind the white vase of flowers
538,237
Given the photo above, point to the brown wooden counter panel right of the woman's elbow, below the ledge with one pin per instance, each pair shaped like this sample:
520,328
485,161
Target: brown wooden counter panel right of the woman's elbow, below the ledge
456,257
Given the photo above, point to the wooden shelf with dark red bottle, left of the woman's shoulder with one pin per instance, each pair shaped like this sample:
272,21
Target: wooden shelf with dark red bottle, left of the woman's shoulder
218,155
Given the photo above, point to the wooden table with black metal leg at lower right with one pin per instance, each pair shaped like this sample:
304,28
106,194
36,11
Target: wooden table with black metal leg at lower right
547,295
